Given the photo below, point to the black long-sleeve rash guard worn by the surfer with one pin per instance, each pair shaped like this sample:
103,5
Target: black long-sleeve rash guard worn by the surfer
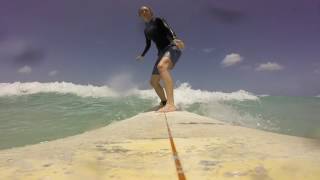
158,30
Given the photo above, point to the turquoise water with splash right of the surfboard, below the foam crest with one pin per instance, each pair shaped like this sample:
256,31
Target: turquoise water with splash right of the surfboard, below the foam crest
297,116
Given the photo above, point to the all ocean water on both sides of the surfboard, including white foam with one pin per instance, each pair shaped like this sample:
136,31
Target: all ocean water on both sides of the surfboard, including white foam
35,112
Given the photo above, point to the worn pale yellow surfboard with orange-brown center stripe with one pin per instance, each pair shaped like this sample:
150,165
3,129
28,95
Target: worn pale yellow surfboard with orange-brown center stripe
141,148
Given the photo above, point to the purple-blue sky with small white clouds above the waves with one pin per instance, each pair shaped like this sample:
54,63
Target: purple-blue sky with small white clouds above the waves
261,46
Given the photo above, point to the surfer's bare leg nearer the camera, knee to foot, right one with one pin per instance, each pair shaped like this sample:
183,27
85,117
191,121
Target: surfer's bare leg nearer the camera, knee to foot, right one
164,66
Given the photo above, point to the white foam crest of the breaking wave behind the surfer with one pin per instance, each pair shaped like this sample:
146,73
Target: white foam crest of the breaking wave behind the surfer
183,94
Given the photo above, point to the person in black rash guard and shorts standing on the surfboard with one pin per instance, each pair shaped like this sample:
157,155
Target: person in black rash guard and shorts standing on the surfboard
169,51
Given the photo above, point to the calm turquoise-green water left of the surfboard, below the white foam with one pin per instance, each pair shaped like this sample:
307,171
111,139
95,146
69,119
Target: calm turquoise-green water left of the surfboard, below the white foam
29,119
